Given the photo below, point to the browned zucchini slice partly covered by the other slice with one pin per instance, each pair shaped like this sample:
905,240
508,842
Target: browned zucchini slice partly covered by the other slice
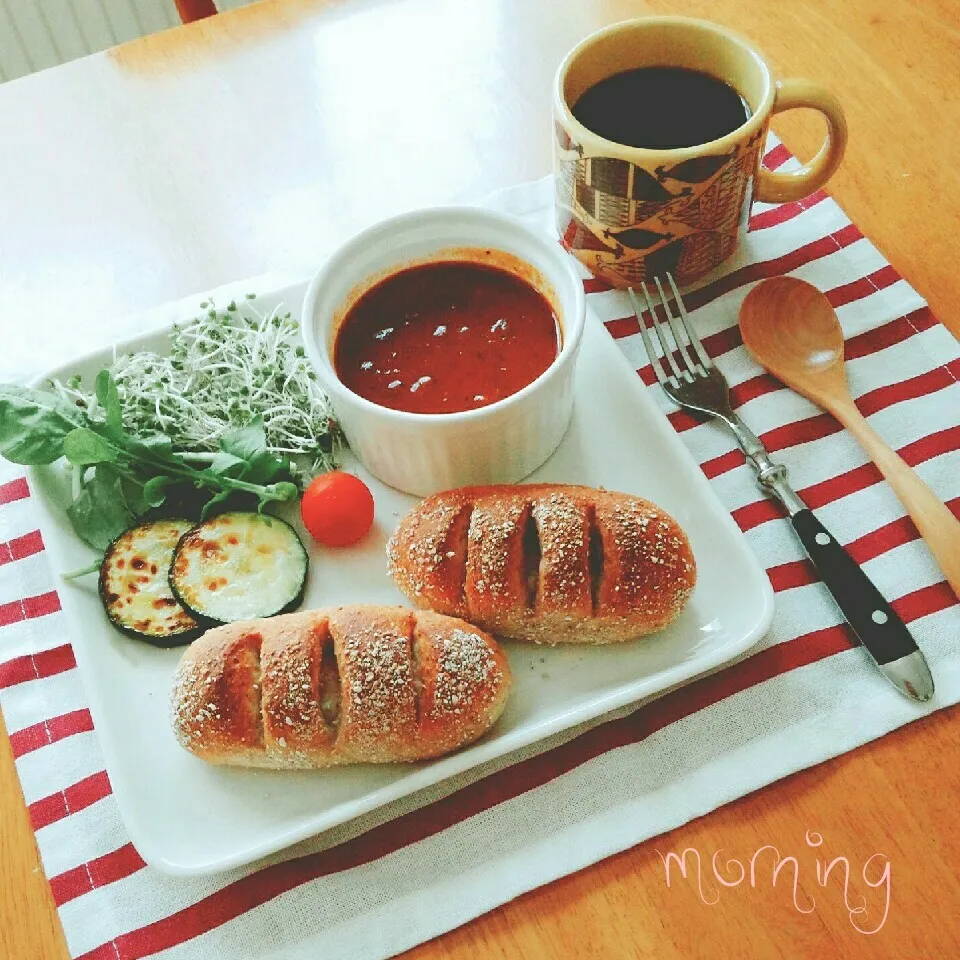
135,587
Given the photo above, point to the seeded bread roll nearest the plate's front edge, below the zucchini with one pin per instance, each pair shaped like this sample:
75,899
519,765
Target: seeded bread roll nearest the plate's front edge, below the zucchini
357,684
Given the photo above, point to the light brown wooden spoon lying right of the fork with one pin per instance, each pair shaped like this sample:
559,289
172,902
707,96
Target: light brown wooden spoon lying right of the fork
791,329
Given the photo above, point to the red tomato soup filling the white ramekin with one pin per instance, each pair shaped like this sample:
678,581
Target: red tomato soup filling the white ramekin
446,337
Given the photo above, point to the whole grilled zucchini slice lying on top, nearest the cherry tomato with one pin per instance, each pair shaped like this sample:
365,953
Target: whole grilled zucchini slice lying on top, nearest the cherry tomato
238,566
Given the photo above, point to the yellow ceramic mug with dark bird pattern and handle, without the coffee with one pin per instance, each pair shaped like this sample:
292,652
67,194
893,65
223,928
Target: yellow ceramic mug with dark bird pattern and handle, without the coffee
631,213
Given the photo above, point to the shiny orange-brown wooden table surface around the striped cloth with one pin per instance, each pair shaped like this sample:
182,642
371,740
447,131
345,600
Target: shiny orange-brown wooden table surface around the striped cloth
256,141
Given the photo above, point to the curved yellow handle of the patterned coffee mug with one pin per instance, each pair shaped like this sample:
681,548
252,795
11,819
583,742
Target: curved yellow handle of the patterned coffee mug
776,187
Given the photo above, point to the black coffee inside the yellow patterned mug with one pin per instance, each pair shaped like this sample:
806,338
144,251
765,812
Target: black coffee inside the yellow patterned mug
661,108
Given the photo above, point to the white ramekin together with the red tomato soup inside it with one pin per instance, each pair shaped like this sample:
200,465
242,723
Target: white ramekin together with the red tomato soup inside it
446,340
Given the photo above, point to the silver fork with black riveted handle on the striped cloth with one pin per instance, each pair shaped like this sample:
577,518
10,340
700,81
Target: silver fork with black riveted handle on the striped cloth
690,378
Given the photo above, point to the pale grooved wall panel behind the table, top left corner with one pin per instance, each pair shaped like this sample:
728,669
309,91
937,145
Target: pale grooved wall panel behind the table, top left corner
35,34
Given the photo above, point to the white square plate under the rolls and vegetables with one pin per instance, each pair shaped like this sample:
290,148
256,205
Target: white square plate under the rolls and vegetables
186,817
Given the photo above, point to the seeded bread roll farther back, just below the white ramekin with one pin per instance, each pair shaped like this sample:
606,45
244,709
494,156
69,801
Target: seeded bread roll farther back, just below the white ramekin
547,563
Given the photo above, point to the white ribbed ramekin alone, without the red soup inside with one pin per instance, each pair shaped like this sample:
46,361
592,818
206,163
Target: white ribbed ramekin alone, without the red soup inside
422,453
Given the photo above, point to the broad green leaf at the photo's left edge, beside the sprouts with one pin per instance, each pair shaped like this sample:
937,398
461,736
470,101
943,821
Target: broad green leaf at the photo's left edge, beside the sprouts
33,424
